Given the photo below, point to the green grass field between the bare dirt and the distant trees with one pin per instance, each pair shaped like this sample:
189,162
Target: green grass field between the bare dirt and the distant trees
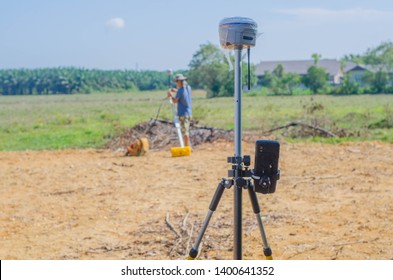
89,121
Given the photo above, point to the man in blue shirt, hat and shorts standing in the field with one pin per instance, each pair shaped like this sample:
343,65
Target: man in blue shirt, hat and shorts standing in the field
184,105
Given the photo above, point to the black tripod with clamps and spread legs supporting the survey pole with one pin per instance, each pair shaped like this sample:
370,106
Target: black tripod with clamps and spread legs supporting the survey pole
241,180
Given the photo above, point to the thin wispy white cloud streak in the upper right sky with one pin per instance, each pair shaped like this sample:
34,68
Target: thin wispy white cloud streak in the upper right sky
347,14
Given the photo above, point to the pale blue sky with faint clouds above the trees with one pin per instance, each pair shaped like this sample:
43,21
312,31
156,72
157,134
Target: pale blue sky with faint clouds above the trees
157,35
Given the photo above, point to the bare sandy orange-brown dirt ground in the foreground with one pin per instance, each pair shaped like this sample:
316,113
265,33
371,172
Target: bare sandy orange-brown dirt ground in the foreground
332,202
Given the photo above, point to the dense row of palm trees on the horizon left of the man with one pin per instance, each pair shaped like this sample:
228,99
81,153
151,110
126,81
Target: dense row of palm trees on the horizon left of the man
69,80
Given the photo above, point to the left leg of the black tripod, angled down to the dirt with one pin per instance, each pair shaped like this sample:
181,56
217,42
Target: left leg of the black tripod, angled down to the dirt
213,206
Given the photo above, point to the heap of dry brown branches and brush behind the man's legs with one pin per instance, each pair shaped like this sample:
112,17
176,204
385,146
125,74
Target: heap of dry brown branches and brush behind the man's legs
162,134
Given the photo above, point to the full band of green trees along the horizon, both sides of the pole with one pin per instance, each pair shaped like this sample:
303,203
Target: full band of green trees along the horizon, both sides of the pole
210,70
